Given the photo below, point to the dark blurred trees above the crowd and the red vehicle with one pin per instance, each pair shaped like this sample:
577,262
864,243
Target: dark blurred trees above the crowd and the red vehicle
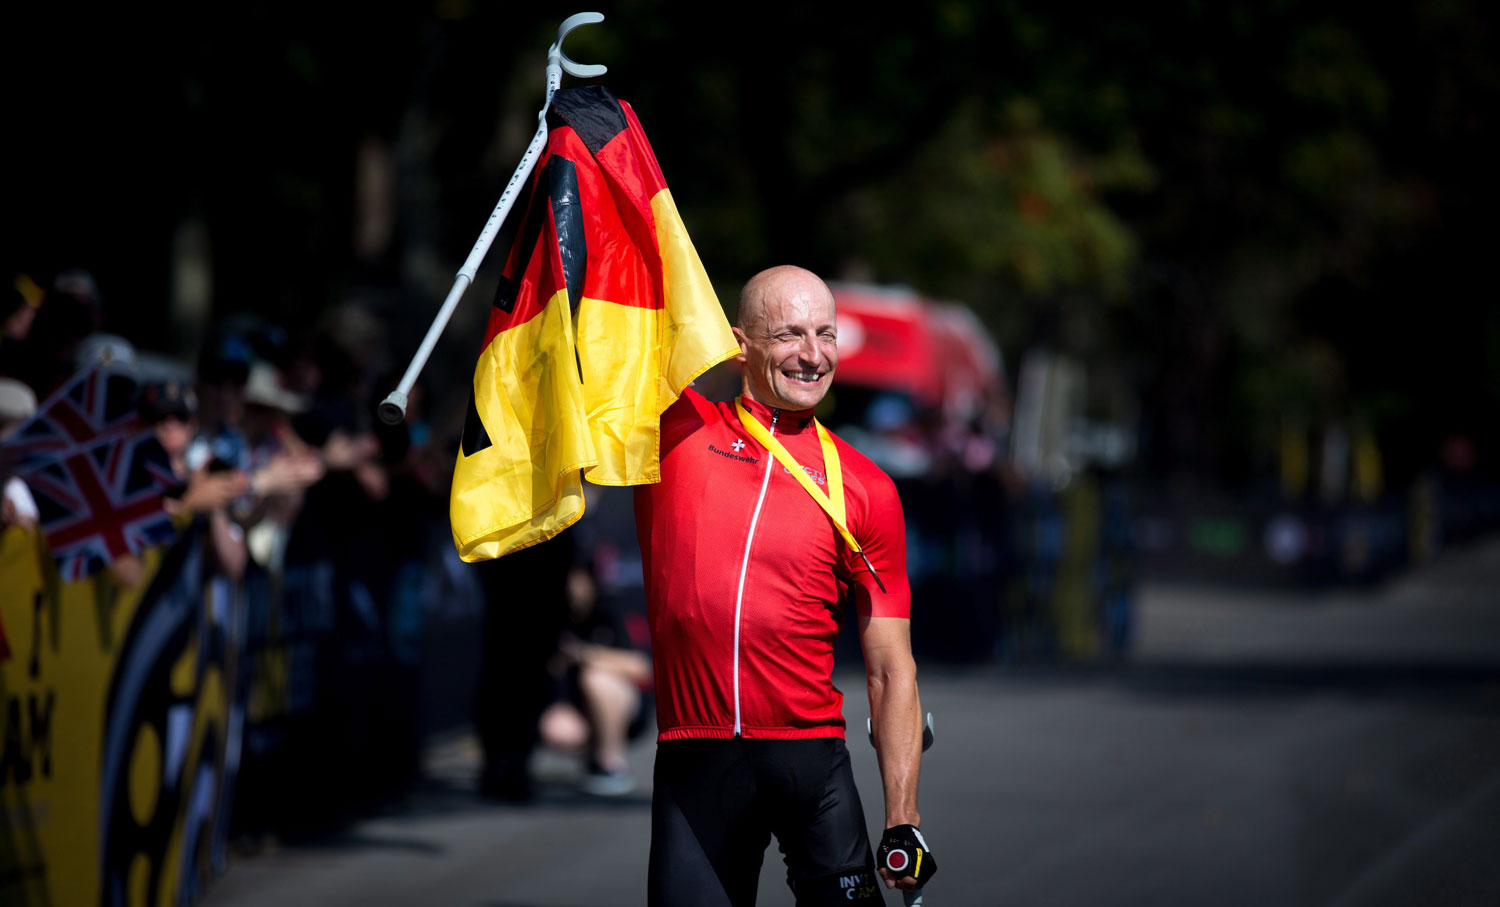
1244,212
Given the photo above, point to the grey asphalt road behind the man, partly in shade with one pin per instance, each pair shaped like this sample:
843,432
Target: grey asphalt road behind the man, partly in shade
1256,749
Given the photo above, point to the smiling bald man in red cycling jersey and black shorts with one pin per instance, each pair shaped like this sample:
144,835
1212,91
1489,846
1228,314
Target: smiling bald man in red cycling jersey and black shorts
748,575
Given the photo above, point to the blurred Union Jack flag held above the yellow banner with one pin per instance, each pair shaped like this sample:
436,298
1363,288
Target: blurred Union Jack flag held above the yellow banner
97,471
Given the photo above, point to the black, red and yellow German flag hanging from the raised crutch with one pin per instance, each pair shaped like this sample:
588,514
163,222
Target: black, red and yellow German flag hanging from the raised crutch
602,319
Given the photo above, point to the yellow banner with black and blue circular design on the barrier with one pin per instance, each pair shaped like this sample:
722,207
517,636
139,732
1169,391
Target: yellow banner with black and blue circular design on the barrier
118,728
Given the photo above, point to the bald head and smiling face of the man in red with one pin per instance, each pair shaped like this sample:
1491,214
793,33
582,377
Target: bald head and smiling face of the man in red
788,340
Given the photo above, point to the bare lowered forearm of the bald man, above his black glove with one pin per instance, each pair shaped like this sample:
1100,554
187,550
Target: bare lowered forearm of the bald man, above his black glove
896,711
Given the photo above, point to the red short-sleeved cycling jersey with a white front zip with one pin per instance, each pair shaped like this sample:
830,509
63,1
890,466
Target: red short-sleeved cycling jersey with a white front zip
746,575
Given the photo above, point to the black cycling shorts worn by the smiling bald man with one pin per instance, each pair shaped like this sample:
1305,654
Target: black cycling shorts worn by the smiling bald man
718,803
